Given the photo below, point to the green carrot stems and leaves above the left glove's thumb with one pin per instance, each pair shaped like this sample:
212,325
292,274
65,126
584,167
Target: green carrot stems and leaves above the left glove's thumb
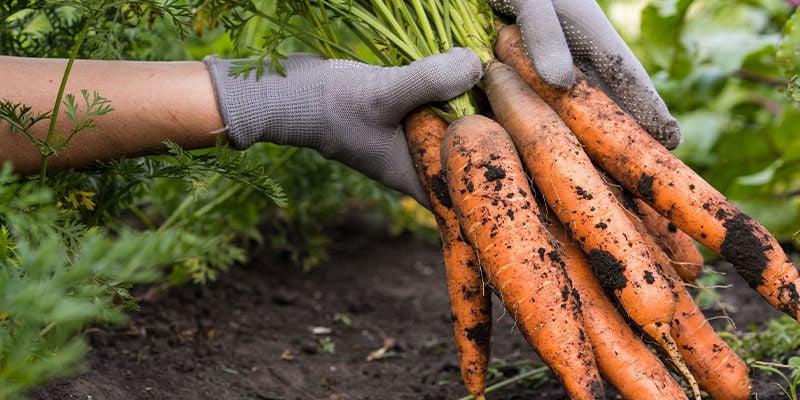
382,32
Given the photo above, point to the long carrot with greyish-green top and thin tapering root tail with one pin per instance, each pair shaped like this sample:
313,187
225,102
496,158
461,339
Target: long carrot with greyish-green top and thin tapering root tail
580,199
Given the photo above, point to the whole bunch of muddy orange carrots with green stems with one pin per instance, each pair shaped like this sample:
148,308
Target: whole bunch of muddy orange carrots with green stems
559,204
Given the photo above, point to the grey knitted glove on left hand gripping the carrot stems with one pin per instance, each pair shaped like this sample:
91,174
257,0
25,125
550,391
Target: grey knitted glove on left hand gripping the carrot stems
348,111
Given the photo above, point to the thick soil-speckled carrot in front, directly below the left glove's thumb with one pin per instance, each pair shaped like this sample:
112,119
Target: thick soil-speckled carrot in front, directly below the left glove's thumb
494,204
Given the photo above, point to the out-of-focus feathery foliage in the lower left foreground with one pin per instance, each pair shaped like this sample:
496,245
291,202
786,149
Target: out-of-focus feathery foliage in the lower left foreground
57,277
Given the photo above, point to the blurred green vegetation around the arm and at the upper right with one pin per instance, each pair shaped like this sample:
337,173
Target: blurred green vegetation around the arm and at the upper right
727,70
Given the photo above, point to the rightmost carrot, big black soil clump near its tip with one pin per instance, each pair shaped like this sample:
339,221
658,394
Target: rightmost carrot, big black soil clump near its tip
638,162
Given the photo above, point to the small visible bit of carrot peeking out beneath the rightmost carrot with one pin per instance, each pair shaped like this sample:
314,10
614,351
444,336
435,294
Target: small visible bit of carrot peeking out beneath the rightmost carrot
684,256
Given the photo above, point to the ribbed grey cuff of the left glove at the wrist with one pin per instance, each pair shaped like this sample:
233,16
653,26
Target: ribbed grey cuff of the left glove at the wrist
268,109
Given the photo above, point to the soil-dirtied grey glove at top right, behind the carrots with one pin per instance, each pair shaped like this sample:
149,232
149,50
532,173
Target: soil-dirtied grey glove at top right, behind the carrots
558,33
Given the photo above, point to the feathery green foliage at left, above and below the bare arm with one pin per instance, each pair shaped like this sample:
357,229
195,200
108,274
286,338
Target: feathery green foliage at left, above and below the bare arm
69,251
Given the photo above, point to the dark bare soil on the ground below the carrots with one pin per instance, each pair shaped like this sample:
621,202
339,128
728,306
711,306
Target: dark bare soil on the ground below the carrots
269,331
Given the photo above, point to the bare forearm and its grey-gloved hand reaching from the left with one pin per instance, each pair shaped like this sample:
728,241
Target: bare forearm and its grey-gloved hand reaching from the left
348,111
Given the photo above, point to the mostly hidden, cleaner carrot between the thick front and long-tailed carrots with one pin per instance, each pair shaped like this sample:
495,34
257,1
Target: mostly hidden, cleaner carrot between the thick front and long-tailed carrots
623,359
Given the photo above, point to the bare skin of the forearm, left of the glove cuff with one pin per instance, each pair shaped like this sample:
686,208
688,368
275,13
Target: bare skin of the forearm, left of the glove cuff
152,101
